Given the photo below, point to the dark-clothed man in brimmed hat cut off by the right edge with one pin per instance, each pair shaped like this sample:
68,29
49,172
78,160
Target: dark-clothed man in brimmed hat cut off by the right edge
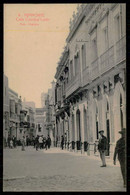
120,150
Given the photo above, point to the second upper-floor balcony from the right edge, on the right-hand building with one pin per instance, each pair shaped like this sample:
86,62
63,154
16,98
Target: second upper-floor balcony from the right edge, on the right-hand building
107,60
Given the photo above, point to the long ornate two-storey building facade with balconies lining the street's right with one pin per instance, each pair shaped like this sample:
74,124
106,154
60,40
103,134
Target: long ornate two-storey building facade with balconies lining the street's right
91,85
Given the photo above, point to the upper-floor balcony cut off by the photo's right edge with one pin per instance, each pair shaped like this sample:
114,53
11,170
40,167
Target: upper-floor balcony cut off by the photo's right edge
121,49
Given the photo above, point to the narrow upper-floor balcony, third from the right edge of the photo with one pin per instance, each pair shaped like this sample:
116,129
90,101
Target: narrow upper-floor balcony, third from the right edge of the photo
94,69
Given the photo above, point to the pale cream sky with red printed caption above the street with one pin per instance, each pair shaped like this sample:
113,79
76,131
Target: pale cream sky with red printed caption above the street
34,38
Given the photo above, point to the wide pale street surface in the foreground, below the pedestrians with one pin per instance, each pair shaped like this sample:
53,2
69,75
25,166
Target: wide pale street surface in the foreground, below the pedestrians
56,170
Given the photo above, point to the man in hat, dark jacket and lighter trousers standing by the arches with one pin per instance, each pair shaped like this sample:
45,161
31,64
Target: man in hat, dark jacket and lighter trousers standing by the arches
102,146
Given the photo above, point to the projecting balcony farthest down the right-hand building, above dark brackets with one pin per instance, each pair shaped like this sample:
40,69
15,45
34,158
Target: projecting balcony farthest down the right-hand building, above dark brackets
73,85
